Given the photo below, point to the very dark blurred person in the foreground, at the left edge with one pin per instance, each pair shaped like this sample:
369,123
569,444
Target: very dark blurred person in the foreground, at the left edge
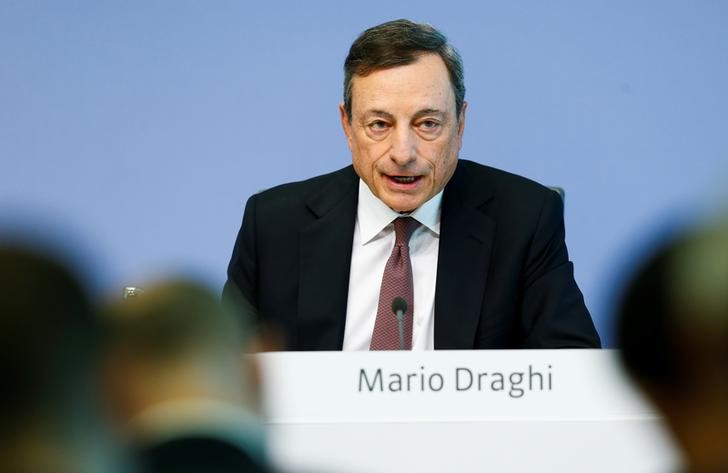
53,419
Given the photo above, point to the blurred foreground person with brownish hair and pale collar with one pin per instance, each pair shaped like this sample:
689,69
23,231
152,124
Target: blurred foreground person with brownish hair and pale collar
180,383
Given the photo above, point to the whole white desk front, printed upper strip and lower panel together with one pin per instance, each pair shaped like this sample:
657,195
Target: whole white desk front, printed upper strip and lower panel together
459,411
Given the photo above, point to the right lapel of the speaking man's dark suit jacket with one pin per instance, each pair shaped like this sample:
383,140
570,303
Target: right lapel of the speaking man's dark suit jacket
466,240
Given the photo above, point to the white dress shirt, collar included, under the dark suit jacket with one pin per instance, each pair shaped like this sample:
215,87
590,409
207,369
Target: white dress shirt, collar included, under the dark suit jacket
373,243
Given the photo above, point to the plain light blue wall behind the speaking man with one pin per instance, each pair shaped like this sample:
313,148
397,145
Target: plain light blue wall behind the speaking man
138,129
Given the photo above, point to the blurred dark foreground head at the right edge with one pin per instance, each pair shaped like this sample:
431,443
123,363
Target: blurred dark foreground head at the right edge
673,332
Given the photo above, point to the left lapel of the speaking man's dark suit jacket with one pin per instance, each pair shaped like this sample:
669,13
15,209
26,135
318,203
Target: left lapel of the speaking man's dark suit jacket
325,261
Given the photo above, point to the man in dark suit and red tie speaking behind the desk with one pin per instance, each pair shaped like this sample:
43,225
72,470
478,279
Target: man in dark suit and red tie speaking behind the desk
483,265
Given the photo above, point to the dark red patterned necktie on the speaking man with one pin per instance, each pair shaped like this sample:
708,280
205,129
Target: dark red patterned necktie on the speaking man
396,283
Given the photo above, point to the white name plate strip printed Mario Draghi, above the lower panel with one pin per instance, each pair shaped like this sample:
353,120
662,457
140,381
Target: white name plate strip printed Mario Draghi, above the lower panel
441,386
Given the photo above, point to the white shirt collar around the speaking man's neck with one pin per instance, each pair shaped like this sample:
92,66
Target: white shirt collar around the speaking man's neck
373,215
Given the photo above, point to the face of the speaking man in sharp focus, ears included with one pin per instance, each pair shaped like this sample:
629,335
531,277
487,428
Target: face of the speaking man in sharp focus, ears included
404,135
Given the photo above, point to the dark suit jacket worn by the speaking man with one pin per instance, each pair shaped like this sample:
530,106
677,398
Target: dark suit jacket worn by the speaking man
504,279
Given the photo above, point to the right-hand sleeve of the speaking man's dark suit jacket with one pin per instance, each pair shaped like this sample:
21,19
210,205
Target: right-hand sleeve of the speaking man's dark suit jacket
554,313
